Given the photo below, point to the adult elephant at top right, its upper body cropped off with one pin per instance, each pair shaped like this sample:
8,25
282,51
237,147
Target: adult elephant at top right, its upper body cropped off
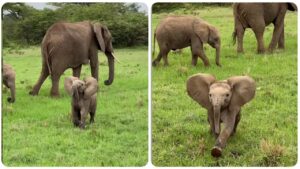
257,16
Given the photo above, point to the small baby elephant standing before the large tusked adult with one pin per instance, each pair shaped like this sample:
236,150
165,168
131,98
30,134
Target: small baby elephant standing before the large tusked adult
84,98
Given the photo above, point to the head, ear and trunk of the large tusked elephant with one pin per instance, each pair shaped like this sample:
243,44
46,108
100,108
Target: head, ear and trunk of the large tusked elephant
104,39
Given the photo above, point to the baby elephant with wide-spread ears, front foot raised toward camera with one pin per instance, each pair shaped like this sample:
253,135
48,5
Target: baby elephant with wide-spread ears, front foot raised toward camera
223,101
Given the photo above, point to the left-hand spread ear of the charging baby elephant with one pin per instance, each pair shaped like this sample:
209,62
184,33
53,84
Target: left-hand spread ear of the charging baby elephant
198,88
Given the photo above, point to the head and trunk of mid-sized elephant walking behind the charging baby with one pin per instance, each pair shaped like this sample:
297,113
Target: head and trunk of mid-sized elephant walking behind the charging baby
208,34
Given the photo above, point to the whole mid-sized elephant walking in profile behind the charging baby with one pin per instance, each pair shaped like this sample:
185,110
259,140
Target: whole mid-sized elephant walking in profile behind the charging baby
177,32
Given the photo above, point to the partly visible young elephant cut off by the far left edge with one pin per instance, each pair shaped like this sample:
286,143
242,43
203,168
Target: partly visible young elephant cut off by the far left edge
9,76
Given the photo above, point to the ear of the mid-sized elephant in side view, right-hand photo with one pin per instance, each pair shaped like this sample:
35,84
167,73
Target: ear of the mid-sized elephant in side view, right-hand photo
201,29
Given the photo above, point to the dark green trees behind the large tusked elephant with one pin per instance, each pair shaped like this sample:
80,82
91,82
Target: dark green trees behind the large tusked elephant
24,25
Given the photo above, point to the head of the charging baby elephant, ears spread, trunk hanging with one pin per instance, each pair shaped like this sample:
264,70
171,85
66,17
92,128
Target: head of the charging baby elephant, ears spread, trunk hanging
214,95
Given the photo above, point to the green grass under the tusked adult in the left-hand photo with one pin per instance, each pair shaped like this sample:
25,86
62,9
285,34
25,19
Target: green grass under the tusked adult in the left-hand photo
37,131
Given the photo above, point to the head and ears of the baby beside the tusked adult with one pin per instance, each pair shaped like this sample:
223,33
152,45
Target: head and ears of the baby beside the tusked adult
78,88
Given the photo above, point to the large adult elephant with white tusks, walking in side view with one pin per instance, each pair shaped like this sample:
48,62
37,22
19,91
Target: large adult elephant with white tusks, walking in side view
69,45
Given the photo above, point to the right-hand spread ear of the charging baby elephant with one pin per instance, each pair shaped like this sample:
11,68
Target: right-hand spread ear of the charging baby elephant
243,90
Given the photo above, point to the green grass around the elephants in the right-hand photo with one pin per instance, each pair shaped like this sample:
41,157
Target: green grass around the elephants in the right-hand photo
267,133
